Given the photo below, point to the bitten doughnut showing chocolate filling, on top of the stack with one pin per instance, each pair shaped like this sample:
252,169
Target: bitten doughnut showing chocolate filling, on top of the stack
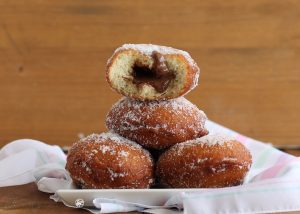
151,72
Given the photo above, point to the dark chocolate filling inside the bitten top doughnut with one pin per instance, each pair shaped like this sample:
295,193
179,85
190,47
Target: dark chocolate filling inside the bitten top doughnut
159,76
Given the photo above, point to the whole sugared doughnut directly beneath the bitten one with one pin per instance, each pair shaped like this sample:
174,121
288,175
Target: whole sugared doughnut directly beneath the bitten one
157,124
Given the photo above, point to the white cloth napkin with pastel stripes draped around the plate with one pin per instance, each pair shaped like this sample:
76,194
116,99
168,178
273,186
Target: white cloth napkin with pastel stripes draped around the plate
272,185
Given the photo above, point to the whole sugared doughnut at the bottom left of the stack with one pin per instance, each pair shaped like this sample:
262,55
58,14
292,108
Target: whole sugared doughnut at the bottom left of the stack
109,161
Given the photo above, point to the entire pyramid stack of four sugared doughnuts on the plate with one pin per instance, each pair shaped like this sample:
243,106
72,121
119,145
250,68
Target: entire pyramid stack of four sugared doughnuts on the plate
156,136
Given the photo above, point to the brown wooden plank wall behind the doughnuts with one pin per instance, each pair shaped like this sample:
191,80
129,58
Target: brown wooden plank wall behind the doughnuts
53,56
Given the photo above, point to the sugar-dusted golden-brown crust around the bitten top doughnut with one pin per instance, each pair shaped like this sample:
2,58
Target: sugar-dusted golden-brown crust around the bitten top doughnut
191,68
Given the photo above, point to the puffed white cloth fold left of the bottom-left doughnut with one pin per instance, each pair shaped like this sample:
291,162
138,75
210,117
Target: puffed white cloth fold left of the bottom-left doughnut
19,159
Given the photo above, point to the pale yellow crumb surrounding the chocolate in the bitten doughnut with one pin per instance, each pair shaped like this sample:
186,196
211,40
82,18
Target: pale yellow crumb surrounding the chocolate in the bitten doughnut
122,70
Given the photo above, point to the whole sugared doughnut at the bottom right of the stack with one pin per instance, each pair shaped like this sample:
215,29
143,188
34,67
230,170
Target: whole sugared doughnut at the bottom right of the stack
207,162
